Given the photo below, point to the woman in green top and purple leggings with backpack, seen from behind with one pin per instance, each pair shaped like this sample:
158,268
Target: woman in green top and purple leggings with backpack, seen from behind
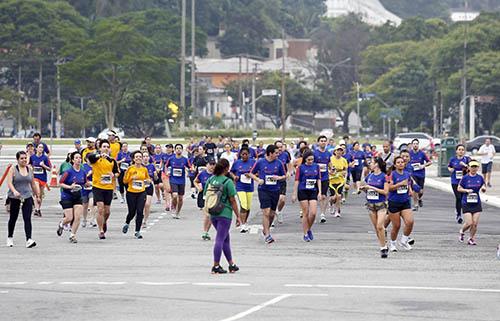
220,202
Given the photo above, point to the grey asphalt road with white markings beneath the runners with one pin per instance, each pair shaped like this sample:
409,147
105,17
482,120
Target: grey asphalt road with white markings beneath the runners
338,276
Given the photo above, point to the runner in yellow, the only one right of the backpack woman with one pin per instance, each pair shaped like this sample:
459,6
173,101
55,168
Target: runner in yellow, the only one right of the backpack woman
337,175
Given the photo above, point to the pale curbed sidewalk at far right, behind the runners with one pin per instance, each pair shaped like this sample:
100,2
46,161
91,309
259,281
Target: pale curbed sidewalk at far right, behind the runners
492,196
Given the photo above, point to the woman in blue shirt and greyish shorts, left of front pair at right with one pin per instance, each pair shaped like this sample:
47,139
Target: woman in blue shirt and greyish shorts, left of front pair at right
376,189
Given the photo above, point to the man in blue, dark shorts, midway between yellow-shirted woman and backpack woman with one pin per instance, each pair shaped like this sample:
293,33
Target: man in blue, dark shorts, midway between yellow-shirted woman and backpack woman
175,180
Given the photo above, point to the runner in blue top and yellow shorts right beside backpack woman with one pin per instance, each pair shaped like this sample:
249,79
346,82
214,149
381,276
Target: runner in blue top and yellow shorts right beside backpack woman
240,172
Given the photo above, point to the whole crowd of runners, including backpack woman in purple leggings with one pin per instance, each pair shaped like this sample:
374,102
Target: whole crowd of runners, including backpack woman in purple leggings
224,173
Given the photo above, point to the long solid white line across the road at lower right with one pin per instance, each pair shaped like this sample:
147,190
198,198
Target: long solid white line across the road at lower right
389,287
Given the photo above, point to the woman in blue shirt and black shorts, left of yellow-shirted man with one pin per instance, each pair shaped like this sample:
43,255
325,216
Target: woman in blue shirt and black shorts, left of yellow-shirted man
72,182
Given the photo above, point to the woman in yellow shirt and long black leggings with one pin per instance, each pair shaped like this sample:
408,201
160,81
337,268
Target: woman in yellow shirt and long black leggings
135,178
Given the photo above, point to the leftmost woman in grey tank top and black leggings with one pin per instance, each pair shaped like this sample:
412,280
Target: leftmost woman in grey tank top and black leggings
22,187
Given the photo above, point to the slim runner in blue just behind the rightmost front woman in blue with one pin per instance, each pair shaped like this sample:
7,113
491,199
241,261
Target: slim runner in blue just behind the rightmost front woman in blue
458,167
